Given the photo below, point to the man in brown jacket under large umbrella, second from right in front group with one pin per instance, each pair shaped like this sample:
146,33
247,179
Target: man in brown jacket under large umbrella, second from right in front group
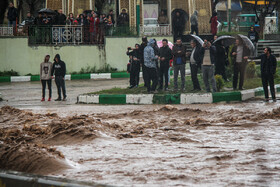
239,54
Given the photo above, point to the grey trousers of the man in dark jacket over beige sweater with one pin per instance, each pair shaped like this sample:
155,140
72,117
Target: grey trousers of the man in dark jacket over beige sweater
208,75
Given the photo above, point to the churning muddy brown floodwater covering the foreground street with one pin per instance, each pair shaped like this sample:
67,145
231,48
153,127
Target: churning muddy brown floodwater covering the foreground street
222,144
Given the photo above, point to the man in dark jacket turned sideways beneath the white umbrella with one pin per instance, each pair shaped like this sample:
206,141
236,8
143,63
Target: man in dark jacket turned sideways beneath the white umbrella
195,63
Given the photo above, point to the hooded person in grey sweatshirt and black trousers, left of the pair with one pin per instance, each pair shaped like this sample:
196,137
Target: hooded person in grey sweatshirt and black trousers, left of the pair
46,77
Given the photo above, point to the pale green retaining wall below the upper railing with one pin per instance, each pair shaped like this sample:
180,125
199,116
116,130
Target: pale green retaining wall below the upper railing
15,54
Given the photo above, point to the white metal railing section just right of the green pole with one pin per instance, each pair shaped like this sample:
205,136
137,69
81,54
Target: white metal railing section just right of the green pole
155,30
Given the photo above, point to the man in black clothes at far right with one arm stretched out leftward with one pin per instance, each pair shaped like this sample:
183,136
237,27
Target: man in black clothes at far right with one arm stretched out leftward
268,70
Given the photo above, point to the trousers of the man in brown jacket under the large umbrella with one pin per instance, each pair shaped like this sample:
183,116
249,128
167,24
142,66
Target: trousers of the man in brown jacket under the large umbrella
239,68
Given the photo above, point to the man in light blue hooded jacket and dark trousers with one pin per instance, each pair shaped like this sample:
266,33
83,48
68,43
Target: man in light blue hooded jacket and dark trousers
151,68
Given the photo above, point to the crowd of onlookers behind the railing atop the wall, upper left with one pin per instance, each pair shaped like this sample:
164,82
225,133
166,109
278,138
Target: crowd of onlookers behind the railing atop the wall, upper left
96,25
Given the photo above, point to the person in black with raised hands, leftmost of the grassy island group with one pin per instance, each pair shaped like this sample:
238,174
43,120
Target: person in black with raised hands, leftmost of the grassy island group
135,58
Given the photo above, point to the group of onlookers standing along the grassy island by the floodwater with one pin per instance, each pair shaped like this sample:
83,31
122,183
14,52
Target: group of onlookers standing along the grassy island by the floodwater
211,59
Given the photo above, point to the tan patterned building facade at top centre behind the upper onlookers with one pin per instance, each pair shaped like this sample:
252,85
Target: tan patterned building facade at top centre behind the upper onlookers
188,6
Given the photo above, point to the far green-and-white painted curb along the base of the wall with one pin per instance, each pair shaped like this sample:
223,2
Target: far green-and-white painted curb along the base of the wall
94,76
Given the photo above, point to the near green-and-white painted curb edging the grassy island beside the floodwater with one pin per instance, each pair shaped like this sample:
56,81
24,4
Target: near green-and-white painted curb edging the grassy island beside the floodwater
190,98
